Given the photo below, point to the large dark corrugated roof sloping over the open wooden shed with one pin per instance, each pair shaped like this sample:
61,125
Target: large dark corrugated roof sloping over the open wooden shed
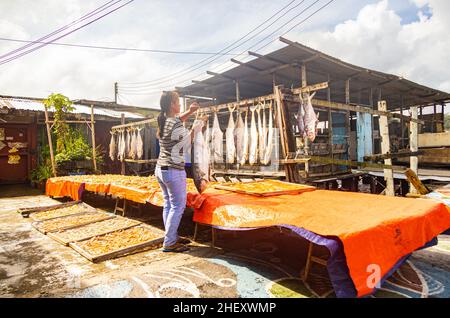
256,79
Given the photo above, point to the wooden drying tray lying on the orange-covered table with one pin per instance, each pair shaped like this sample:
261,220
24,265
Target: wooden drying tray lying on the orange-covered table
298,188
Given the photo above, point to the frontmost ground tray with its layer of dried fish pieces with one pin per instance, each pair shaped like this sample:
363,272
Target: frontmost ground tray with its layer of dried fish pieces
119,243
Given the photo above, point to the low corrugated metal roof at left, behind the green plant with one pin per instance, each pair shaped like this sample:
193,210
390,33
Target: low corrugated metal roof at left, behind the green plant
36,105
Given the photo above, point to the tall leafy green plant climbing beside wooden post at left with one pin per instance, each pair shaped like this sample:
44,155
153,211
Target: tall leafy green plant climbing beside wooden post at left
61,106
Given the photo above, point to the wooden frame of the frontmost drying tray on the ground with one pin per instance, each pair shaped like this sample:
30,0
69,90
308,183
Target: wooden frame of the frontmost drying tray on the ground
121,252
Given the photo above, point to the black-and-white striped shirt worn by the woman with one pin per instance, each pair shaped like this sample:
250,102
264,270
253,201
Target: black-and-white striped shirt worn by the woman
173,140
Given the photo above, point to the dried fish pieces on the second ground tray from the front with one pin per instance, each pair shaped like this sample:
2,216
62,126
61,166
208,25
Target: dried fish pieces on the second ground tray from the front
93,229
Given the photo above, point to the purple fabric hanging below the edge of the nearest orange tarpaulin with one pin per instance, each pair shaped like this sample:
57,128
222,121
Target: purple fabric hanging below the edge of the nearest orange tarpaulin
336,264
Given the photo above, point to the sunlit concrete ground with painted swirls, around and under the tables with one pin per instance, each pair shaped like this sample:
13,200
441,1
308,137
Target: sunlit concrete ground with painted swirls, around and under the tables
261,263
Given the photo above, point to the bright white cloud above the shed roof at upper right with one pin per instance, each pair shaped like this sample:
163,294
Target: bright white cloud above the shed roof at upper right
377,39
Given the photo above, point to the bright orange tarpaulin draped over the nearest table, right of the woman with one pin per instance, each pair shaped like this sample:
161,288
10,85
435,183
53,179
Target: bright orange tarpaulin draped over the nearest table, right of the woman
374,229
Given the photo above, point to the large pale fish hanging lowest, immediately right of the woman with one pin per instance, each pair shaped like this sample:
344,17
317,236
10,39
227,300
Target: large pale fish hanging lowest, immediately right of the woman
199,157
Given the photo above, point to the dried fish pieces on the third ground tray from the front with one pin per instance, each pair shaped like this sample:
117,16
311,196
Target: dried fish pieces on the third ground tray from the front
70,221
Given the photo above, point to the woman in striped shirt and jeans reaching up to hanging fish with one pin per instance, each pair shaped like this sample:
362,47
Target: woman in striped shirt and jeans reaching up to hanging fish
170,172
